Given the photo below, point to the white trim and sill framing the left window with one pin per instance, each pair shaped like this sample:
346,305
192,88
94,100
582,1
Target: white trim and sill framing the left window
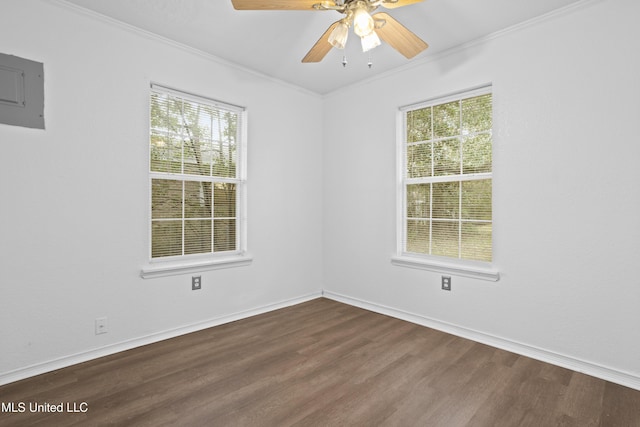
204,262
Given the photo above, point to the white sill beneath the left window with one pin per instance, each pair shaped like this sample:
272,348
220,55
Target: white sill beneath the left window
185,267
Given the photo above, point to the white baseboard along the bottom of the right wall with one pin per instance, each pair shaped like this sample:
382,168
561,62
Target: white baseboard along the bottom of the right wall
608,374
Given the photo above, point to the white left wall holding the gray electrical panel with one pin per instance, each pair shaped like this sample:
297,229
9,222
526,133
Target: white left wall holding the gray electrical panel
74,197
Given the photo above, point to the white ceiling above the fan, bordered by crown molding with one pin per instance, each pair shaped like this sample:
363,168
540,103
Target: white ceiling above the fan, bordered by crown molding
274,42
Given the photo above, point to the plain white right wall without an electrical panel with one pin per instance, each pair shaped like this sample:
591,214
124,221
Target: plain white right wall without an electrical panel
566,198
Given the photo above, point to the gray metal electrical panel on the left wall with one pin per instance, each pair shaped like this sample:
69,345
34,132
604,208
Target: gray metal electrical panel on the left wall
21,92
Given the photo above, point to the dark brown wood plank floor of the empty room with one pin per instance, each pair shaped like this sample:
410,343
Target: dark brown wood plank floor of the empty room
320,363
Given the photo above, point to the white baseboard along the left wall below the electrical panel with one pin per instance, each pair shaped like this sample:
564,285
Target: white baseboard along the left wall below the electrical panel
63,362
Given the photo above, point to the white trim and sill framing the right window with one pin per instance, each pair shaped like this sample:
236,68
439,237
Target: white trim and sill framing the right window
458,267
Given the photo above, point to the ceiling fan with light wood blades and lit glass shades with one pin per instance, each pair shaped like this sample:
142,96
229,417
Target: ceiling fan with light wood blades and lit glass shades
357,14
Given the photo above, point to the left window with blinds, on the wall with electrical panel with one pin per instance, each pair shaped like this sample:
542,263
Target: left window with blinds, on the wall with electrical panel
196,176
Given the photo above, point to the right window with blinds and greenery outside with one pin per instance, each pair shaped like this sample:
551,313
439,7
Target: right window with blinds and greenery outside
446,178
